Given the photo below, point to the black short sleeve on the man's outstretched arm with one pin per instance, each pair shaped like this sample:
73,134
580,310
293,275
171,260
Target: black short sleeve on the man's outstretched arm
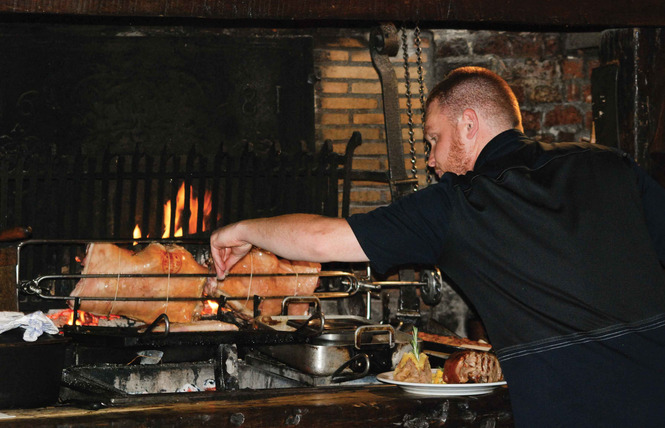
409,231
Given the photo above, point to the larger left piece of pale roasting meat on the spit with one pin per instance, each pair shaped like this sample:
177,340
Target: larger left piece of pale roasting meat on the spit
106,258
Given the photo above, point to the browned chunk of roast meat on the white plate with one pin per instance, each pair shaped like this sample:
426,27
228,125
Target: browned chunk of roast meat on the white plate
473,367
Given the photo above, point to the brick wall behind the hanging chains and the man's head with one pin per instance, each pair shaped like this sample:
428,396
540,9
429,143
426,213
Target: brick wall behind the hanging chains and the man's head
549,74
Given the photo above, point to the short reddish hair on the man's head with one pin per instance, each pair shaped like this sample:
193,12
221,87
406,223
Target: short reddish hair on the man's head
480,89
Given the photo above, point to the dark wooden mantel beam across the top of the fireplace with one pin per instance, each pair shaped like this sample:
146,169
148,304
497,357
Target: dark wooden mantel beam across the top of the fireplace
444,13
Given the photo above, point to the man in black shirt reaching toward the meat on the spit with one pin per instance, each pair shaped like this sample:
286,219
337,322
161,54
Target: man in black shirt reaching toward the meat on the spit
559,247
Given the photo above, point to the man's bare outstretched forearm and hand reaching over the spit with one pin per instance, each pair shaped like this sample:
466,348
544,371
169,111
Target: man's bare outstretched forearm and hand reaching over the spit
303,237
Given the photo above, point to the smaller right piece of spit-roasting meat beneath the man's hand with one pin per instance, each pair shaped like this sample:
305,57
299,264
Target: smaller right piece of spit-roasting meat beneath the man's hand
259,261
